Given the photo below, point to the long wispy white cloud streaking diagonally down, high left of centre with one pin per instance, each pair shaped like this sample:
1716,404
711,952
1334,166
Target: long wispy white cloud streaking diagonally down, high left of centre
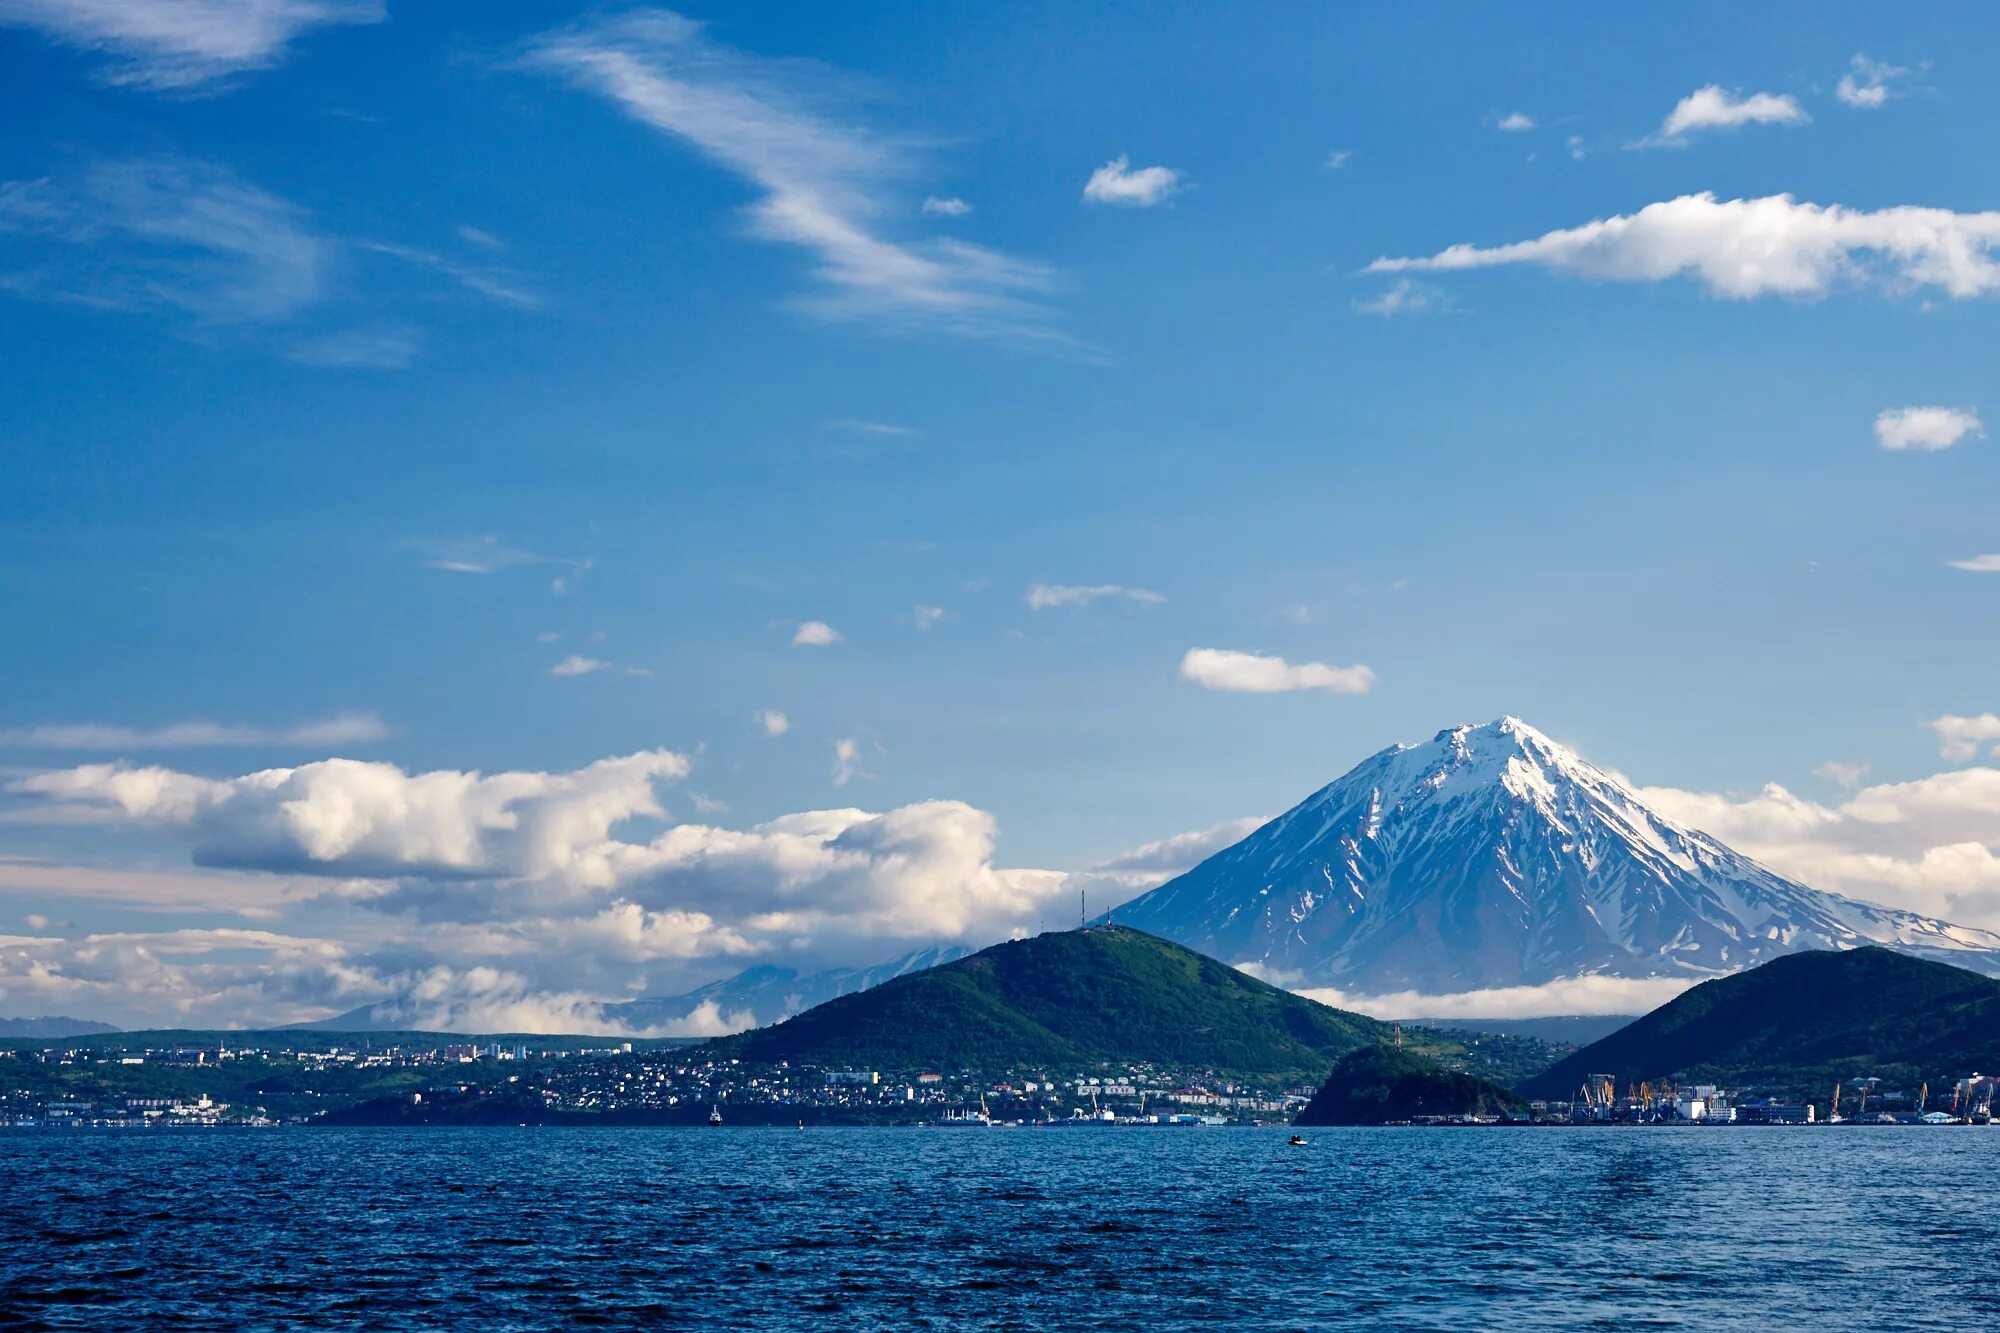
821,185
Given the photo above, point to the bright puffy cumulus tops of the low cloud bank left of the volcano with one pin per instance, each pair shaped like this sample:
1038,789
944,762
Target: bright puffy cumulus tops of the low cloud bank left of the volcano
543,846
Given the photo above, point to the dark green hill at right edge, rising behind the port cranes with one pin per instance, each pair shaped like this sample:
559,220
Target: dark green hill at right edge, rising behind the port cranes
1803,1022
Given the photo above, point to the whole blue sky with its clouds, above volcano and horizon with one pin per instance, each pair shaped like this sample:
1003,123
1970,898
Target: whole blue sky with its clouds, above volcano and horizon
529,505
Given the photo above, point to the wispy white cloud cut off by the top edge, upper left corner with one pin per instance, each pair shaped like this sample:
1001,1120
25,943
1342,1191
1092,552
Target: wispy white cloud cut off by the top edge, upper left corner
181,45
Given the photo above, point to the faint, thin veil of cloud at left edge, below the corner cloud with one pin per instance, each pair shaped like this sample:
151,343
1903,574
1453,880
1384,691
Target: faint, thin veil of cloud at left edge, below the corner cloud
169,235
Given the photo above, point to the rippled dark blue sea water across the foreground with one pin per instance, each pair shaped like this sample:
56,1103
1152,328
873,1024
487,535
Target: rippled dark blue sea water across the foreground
1005,1230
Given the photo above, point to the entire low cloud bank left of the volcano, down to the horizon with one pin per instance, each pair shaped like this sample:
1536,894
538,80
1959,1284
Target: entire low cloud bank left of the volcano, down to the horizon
535,902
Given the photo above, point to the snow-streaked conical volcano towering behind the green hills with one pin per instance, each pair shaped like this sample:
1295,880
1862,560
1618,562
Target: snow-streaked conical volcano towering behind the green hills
1495,858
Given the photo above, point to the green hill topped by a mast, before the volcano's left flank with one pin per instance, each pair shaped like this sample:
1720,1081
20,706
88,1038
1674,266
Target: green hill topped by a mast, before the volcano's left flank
1067,1002
